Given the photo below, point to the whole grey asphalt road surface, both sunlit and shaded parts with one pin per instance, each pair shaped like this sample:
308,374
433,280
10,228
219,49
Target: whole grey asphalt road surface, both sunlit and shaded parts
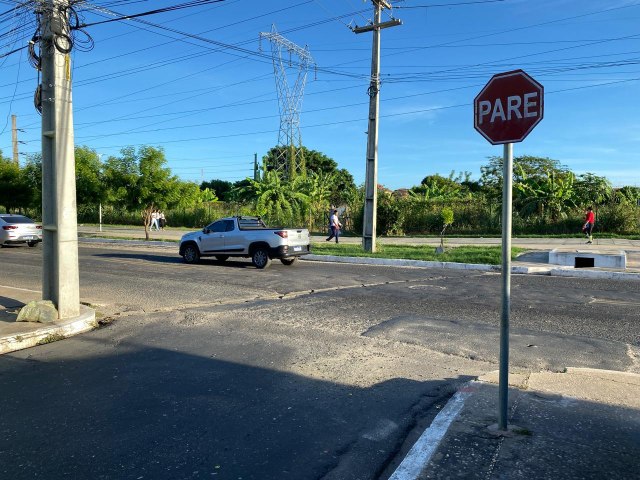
312,371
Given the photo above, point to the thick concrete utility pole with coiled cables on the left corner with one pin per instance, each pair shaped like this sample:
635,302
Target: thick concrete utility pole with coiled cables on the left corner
60,273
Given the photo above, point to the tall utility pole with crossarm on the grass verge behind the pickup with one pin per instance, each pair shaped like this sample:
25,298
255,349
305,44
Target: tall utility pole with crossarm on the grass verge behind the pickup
371,179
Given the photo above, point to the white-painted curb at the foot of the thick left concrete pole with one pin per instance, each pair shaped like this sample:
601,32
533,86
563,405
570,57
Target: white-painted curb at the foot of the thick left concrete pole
82,323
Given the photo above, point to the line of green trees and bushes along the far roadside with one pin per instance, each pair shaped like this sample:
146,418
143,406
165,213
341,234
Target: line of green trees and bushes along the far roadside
548,198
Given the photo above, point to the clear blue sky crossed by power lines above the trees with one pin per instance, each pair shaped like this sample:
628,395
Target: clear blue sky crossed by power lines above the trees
212,105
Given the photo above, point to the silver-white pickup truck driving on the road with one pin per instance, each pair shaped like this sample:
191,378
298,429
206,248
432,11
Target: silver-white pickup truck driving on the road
245,237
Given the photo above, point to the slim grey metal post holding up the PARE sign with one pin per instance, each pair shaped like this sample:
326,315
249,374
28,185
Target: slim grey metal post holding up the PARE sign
507,181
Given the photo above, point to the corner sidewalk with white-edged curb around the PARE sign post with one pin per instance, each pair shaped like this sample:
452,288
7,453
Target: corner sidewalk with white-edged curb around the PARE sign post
580,424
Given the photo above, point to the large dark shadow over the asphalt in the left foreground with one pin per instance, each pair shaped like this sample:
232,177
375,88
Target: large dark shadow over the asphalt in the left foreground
130,411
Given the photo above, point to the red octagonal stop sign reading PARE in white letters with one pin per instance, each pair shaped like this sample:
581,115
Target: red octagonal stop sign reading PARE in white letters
508,107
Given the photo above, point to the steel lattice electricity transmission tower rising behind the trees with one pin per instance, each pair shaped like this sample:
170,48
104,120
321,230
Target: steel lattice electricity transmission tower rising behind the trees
290,159
